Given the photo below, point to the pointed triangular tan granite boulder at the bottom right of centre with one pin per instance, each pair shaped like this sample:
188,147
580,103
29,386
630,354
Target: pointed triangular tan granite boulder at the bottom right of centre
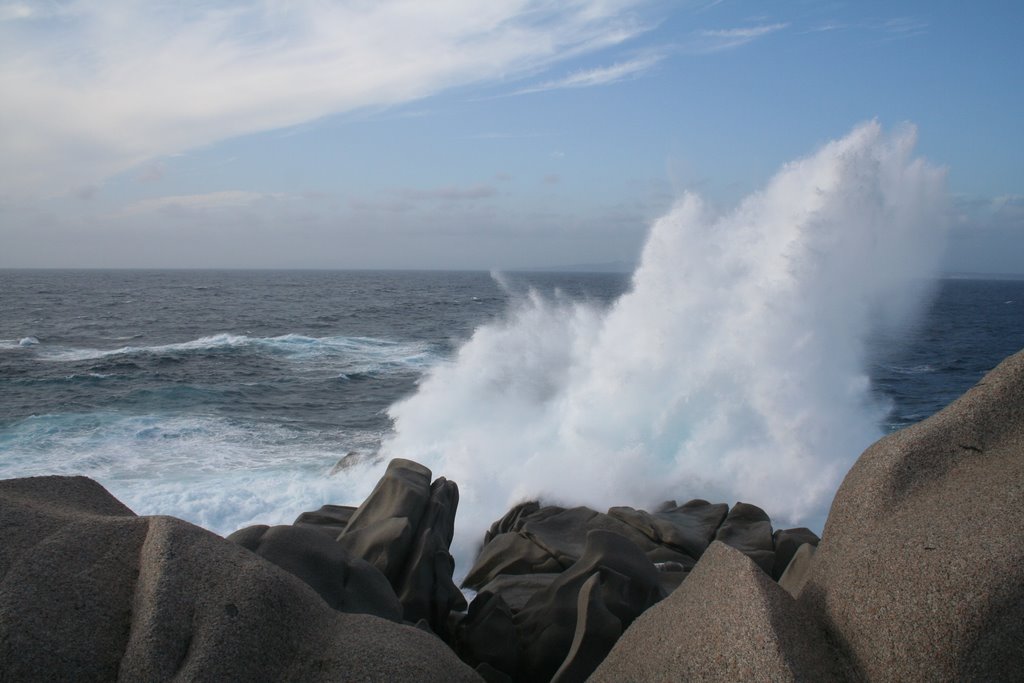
729,622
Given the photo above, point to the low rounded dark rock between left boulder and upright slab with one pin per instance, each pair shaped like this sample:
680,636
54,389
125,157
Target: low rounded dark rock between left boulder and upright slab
347,584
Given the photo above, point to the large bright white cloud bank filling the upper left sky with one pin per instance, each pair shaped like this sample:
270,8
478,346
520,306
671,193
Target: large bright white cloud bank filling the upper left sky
109,84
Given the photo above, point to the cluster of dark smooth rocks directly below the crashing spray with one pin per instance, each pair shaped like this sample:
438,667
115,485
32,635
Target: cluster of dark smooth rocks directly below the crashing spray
559,586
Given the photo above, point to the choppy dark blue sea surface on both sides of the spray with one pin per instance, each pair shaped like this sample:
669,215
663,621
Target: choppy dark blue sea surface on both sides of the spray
228,398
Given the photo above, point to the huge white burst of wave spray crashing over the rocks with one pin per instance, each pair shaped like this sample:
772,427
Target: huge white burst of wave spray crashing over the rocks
734,369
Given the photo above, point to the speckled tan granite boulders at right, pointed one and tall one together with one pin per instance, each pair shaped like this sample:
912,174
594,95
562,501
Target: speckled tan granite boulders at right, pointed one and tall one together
919,576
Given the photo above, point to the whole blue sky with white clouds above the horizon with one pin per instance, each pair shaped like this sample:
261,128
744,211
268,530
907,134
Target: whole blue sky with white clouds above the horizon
474,136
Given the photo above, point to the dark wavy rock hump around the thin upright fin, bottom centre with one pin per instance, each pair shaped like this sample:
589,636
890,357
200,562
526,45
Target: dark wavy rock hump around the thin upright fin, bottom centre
627,585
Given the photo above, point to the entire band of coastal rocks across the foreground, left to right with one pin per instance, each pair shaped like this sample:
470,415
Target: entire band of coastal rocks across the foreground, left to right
920,576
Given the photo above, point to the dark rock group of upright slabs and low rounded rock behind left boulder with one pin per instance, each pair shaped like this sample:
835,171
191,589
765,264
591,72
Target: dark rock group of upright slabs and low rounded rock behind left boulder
391,551
